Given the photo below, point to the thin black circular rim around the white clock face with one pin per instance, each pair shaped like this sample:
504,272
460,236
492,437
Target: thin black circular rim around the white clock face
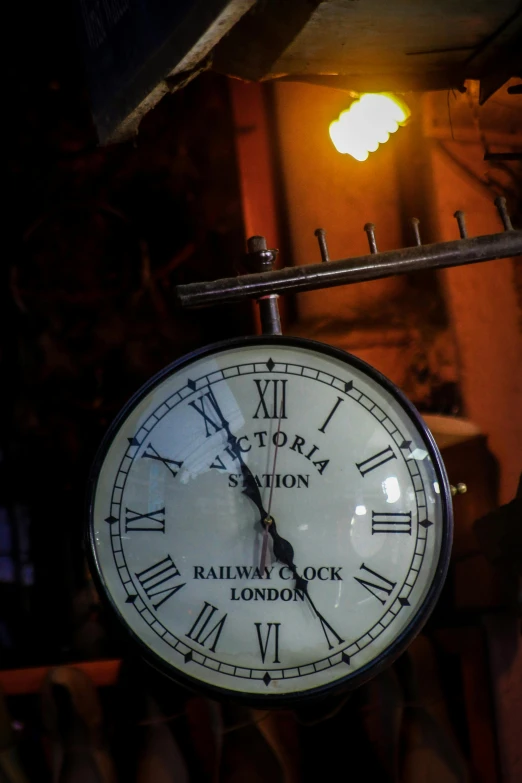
350,681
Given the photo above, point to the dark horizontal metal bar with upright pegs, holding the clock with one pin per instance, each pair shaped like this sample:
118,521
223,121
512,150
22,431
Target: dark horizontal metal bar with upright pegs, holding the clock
352,270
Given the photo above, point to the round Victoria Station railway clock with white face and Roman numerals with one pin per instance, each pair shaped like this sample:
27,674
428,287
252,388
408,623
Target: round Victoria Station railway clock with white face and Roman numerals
280,429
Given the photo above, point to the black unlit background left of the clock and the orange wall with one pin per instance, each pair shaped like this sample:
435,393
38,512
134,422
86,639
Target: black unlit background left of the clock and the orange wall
97,238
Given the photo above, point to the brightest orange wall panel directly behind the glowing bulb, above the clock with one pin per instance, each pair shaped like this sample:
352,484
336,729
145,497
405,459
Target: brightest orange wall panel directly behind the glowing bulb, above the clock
334,192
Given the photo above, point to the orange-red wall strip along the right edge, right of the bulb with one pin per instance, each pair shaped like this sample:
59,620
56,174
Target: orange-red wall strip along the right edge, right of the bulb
485,314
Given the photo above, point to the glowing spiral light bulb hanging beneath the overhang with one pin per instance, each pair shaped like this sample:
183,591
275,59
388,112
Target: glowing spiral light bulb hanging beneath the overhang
367,123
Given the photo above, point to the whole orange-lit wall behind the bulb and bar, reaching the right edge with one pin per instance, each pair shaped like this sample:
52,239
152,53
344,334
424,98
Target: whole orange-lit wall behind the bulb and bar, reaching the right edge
327,190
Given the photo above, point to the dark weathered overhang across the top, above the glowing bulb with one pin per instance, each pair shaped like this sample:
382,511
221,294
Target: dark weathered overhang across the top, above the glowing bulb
136,52
